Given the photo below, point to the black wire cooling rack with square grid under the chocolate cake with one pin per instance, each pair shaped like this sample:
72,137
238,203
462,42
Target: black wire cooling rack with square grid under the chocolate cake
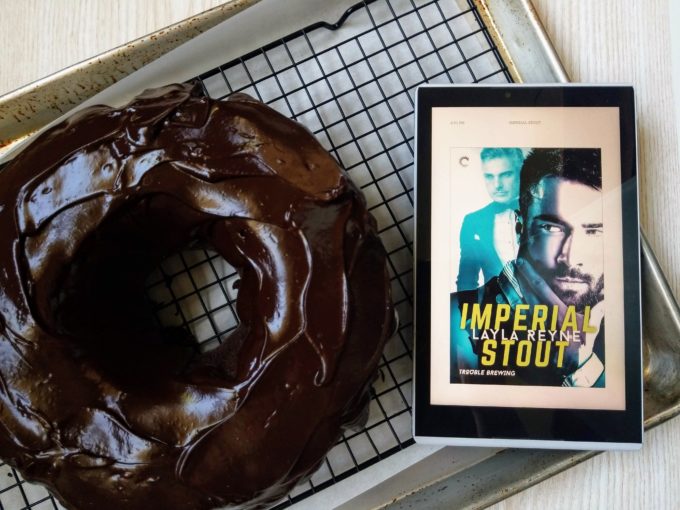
352,83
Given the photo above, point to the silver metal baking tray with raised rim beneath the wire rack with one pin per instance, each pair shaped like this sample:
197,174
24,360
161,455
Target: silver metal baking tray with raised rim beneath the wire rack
446,477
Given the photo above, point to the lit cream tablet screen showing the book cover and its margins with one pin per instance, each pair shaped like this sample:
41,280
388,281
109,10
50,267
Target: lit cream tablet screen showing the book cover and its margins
531,251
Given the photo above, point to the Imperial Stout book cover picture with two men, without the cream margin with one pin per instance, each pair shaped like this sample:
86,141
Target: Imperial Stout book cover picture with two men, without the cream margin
528,269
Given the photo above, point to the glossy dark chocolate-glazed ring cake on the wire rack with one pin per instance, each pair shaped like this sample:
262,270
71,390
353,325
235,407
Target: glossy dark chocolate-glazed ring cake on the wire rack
110,410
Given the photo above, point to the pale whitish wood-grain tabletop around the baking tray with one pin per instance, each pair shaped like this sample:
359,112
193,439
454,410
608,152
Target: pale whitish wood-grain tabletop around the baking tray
599,41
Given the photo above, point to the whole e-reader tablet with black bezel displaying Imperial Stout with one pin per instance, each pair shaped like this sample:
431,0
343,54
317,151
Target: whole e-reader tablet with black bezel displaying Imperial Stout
527,298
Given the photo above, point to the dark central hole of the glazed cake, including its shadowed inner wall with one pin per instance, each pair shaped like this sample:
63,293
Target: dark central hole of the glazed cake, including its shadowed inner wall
156,294
